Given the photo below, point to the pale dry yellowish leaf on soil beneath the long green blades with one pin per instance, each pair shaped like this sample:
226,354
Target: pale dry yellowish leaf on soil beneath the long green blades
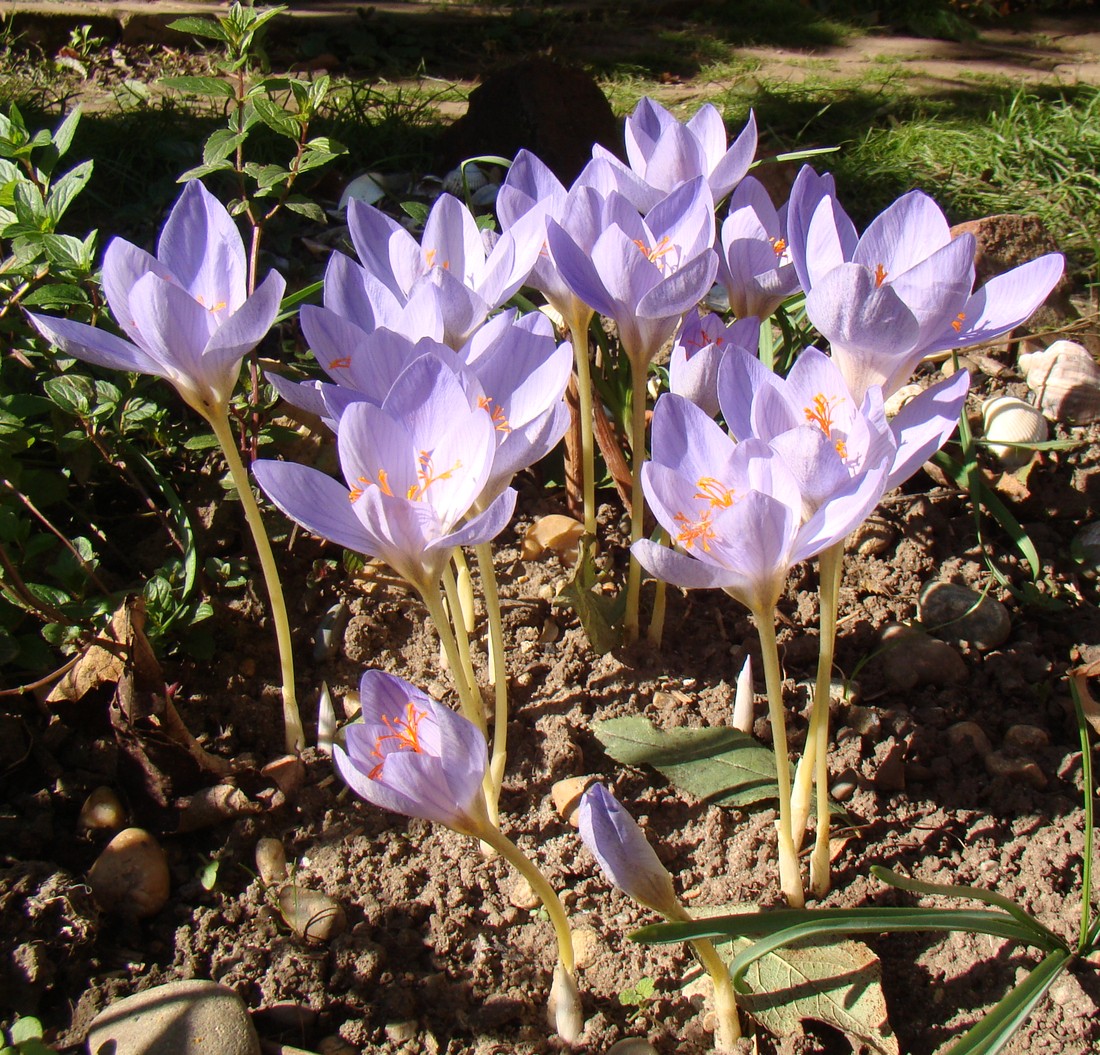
835,983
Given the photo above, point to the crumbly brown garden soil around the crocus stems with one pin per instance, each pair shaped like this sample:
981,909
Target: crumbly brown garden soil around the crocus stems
444,952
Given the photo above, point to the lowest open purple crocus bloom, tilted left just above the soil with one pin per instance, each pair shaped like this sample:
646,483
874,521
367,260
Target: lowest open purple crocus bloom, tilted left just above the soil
414,756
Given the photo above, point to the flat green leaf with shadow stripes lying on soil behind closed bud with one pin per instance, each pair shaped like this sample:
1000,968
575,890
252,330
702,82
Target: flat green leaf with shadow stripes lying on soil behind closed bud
723,765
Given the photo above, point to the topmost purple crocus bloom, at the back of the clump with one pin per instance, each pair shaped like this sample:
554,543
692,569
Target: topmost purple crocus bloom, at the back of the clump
665,153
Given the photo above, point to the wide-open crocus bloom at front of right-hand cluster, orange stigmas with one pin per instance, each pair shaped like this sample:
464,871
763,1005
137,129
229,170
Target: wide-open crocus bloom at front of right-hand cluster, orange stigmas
738,510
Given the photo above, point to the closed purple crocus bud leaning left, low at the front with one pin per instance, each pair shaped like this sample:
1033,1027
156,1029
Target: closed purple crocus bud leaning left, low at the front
624,853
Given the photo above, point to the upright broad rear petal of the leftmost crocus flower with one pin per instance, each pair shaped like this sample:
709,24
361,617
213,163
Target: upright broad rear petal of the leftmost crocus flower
202,248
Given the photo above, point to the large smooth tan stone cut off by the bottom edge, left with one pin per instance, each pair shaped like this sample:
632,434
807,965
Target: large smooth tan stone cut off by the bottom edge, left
181,1018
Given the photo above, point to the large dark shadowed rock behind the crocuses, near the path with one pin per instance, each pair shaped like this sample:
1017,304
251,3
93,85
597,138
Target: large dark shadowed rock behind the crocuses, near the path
553,111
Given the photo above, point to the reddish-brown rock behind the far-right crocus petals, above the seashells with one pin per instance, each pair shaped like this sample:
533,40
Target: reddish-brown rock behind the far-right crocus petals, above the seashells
1008,240
